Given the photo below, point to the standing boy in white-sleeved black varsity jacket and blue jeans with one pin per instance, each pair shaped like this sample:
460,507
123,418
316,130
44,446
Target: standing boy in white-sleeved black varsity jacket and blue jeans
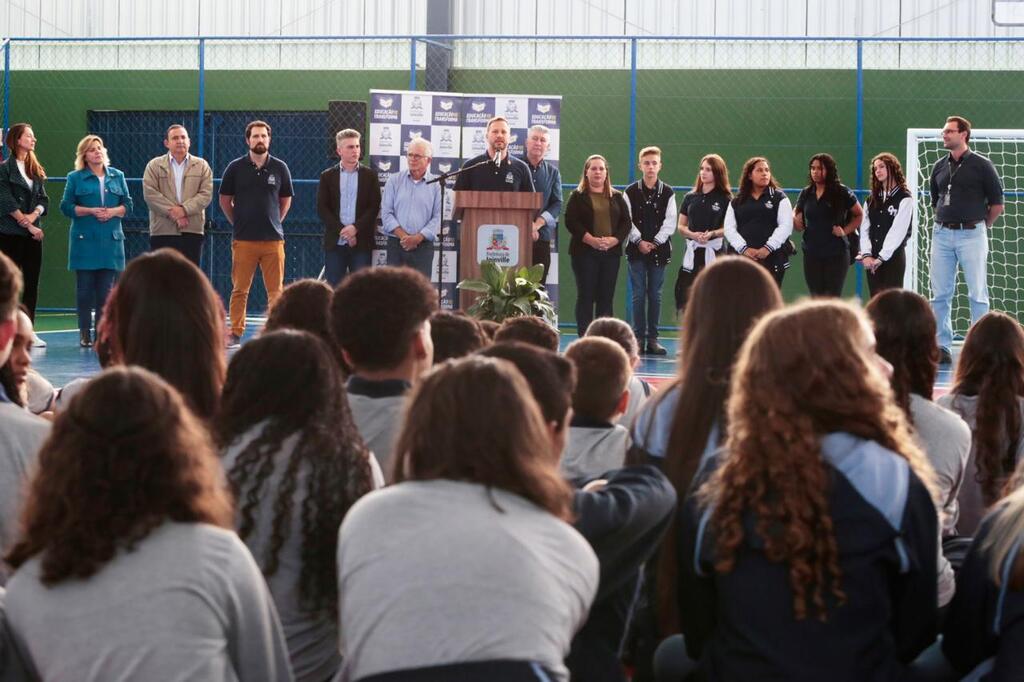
653,207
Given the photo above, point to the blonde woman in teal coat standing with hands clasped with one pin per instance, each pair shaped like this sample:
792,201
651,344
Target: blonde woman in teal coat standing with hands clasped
96,199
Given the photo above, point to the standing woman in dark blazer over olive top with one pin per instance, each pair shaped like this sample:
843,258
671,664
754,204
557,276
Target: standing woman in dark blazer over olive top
599,221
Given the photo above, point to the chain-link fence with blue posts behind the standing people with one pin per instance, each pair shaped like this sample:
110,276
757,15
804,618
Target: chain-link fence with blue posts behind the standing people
783,99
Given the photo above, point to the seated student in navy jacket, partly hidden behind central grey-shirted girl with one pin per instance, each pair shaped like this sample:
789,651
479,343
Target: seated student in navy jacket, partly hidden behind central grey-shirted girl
622,517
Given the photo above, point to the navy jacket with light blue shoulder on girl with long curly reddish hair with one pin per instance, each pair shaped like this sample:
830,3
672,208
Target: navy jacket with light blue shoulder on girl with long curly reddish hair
741,625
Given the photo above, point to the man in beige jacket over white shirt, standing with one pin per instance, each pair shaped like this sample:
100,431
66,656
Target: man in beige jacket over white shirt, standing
178,188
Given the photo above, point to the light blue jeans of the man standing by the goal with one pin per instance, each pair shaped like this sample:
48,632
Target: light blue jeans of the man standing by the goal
969,248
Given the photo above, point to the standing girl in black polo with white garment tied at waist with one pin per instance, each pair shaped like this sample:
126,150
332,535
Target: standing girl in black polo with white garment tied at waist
701,221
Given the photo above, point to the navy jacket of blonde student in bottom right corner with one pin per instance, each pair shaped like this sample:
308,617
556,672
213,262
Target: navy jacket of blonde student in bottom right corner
986,625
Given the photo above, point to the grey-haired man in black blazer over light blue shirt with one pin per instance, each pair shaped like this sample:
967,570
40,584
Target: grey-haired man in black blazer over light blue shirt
349,200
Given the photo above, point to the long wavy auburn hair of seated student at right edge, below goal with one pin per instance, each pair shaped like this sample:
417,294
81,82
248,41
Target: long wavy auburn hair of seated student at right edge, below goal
989,394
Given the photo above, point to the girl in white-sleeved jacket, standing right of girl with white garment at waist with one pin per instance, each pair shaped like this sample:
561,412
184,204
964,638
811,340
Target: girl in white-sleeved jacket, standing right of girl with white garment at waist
759,221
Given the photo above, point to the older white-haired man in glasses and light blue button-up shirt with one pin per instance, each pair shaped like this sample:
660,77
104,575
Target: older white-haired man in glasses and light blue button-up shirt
411,212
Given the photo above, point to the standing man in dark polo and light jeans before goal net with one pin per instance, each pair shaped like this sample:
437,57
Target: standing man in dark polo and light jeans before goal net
967,198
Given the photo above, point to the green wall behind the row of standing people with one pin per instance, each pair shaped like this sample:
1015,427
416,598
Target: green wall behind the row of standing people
785,115
